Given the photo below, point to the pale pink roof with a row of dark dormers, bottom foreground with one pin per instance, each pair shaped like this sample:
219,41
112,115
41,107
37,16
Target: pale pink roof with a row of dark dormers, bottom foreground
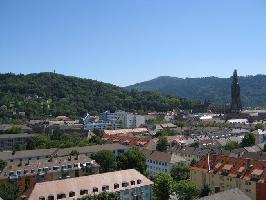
90,183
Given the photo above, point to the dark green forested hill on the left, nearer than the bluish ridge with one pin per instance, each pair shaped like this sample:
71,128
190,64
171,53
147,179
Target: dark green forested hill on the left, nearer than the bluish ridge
49,94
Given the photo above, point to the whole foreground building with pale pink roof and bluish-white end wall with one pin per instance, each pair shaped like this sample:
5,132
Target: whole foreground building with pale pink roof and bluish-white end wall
129,184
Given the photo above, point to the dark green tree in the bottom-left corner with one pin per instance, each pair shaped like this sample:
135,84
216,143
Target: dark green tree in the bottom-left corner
10,191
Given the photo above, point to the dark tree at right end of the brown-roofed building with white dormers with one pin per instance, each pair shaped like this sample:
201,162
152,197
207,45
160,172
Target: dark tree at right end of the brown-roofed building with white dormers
106,159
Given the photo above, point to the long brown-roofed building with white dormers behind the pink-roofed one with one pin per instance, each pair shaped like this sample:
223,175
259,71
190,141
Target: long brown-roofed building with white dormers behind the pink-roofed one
28,173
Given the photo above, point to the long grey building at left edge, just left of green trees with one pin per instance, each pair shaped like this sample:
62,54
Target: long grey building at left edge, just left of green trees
11,141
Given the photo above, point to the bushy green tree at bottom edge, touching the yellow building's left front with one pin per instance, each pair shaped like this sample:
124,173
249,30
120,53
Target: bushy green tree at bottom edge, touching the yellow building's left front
186,190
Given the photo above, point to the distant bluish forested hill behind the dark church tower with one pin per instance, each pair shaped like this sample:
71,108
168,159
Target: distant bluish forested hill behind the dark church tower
217,90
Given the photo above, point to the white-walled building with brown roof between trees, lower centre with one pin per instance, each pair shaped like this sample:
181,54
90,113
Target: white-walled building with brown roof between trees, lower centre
157,161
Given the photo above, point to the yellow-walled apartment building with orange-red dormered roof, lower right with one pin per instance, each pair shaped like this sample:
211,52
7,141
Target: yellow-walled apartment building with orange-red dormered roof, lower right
221,173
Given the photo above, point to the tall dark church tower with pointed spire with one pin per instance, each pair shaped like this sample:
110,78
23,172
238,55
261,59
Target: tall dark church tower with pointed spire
236,105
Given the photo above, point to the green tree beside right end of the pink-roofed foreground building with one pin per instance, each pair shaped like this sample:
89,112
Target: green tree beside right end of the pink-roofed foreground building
163,186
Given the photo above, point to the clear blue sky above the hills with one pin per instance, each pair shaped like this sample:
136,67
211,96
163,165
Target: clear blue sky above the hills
128,41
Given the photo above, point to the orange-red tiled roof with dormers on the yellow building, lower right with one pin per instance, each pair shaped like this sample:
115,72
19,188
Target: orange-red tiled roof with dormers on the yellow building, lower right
235,166
